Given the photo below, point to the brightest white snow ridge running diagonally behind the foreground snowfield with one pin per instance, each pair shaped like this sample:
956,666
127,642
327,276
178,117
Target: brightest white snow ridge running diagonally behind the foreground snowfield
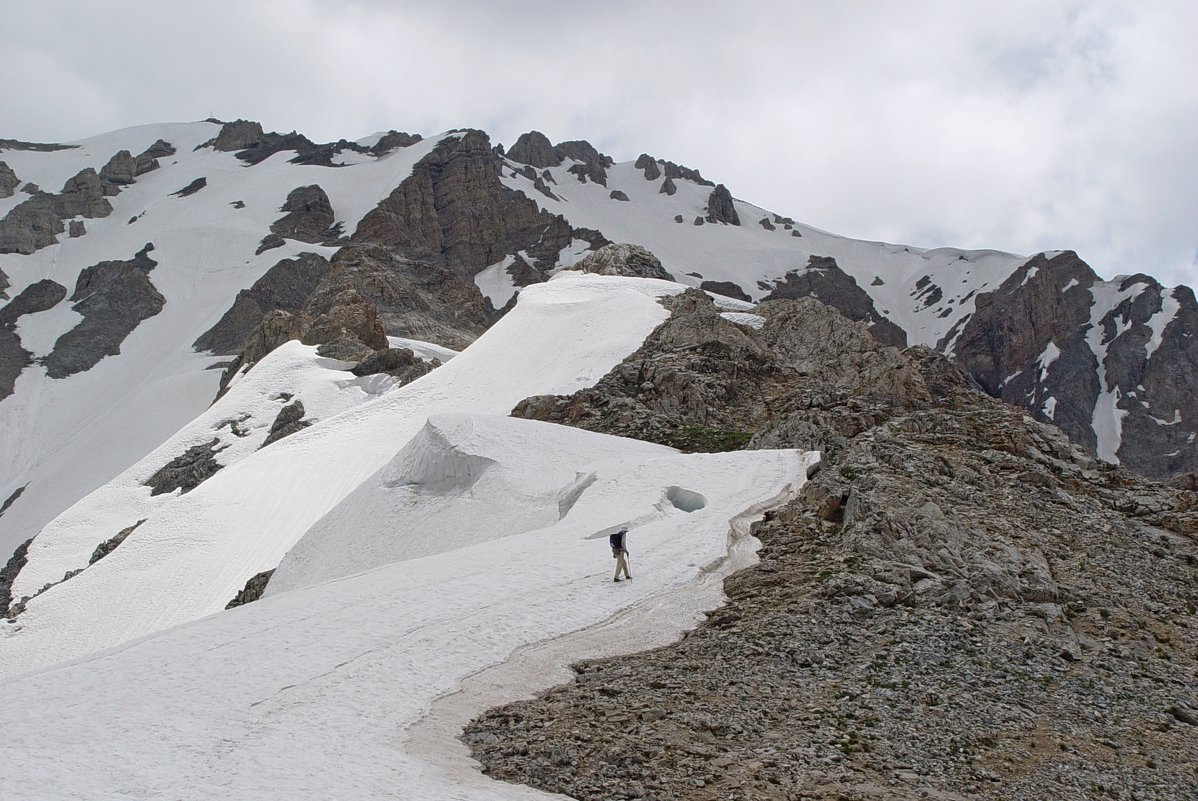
196,553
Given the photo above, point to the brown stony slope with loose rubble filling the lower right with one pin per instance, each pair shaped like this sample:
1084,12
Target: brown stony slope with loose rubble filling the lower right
961,605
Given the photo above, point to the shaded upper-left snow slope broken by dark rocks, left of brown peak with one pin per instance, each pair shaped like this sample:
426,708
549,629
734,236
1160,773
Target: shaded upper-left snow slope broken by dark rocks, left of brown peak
69,436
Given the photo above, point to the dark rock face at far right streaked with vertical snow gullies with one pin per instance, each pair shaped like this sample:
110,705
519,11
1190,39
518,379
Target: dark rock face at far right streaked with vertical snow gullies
1108,362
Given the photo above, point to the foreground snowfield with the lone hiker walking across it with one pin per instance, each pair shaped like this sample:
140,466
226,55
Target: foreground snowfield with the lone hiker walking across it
314,693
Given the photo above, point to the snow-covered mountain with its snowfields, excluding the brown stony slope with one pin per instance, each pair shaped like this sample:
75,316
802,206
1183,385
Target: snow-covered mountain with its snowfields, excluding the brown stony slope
234,360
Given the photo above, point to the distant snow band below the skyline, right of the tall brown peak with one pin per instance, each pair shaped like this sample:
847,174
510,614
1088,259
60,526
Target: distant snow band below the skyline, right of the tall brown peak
749,253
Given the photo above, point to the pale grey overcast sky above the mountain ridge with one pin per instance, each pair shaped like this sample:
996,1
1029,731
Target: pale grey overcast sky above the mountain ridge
1018,125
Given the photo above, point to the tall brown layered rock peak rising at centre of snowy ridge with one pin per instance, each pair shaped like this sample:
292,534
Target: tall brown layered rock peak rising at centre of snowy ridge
453,211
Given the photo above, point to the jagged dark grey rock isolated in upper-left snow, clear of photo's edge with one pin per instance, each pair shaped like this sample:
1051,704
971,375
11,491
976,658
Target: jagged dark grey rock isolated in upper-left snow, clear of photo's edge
113,298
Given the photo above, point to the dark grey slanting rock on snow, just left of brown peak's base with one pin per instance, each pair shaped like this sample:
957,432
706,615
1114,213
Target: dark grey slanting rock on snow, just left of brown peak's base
286,287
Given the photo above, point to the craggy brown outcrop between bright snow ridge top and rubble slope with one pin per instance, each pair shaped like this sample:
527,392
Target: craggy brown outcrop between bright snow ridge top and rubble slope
701,383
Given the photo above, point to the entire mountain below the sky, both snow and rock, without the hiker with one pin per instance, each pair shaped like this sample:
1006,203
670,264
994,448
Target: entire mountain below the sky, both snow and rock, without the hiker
390,396
